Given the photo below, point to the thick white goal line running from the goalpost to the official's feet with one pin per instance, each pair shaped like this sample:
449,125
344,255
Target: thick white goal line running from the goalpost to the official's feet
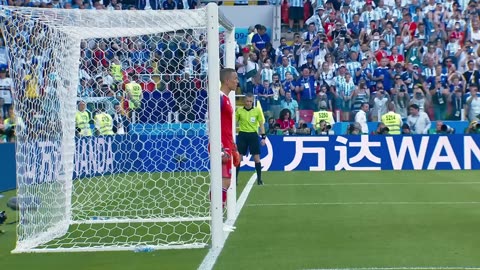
211,257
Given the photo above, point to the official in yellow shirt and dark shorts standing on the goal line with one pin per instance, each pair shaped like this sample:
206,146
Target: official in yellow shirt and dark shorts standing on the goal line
249,120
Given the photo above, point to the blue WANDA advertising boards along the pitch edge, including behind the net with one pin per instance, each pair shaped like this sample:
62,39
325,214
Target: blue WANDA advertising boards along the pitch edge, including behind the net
153,153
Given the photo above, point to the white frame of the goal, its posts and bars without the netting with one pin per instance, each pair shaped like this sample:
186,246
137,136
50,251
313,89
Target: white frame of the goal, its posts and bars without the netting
67,23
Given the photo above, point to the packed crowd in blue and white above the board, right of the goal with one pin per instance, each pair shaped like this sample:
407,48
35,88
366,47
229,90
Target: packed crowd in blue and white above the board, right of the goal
400,63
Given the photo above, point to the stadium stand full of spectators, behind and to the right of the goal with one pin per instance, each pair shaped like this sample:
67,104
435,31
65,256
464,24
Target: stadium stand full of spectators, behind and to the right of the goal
347,53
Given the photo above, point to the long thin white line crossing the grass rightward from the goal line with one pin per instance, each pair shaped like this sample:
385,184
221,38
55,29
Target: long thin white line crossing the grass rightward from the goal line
360,203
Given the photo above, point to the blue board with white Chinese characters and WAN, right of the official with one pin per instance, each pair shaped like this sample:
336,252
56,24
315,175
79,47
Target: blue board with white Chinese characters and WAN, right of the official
334,153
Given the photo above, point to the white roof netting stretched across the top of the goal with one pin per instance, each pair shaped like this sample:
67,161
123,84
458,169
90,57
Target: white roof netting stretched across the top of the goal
81,23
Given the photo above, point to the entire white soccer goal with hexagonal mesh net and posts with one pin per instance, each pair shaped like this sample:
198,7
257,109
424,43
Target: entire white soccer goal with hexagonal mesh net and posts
111,131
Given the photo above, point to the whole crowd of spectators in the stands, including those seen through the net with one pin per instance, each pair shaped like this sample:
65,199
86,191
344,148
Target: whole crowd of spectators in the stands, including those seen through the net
401,63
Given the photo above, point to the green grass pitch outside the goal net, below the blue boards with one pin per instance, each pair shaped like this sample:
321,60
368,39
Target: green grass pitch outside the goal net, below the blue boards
319,220
